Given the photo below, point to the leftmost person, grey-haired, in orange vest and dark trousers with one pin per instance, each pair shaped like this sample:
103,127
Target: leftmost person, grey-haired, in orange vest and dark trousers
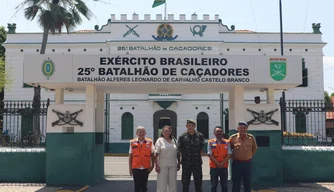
141,159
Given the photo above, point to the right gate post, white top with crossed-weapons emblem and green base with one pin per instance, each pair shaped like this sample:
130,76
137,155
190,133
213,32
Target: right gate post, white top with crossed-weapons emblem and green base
264,121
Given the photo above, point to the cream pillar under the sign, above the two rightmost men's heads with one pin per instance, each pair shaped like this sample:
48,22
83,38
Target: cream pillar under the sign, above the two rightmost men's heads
236,106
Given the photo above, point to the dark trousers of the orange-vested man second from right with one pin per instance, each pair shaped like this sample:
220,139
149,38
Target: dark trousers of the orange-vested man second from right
215,173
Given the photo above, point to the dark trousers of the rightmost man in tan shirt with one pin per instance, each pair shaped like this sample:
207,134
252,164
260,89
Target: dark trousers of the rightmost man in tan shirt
241,170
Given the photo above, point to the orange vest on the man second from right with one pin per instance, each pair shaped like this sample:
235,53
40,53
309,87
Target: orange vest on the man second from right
219,151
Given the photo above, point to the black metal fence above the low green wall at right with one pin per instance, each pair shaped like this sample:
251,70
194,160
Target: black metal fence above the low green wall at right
307,122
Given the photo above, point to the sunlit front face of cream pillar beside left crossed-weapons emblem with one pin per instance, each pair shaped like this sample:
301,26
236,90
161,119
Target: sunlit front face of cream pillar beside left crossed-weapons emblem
90,108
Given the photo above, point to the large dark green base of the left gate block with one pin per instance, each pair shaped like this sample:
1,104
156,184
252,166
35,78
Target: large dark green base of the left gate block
74,159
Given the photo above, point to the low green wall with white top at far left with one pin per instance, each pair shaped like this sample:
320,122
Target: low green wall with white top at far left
23,166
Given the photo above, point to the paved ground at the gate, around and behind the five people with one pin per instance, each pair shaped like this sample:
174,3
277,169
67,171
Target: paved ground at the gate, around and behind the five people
118,180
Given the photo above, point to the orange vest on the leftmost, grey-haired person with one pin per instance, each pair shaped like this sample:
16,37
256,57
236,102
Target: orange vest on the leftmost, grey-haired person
141,153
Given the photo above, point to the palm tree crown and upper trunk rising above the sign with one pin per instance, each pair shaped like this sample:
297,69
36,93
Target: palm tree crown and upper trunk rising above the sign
53,15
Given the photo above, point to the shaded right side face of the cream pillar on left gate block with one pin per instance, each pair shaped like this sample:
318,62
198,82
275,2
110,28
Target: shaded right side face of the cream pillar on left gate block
100,112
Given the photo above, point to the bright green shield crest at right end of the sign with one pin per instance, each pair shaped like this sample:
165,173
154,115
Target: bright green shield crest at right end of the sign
278,68
